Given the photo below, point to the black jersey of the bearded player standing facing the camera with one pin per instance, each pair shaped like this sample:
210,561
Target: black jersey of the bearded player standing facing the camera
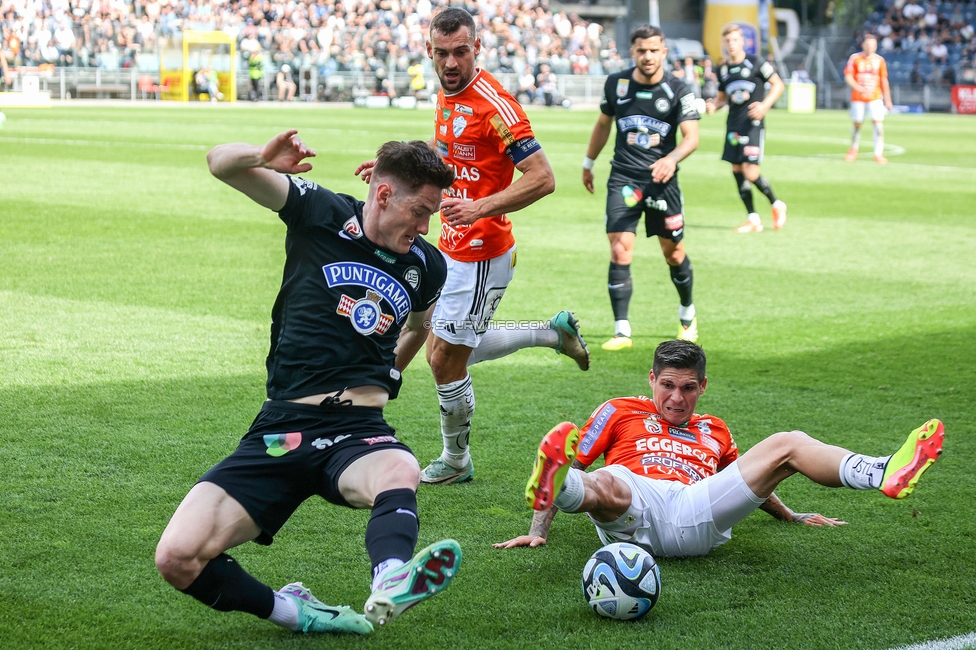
647,117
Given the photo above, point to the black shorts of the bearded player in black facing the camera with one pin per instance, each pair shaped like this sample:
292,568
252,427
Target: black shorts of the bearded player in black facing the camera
661,203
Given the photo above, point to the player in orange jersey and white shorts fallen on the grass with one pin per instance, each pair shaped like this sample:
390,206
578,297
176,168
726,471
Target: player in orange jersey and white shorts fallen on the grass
674,482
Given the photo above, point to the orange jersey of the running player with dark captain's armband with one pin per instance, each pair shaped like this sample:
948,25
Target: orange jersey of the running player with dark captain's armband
483,133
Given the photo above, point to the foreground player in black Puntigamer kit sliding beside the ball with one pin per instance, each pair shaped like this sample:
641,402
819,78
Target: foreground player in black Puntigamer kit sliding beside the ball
354,274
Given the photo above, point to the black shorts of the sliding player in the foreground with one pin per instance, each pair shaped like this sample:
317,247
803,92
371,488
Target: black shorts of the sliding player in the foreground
293,451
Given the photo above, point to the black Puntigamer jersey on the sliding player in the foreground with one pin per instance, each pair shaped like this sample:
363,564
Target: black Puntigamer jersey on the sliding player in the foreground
343,299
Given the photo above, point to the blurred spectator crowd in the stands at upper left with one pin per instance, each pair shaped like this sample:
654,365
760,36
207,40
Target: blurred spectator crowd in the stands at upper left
330,34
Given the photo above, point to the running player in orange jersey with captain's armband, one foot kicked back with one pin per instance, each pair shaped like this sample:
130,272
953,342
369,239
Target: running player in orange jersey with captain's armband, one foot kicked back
483,133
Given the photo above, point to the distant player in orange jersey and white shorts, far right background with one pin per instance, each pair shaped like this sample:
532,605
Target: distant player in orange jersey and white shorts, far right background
867,75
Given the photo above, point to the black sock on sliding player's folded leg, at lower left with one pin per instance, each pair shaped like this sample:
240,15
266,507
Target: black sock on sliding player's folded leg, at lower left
225,586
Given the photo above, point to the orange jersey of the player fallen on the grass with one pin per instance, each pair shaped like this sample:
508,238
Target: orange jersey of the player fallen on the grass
631,432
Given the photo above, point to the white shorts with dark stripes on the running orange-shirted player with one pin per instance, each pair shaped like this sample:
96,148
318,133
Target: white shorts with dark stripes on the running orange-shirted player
470,297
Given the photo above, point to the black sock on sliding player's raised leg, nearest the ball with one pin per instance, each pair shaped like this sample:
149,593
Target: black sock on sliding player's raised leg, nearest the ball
393,527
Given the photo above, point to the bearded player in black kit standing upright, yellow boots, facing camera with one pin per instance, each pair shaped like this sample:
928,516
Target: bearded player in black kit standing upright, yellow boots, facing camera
648,106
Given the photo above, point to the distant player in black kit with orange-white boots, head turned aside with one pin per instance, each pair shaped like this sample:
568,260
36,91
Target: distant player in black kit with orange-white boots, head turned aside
742,85
